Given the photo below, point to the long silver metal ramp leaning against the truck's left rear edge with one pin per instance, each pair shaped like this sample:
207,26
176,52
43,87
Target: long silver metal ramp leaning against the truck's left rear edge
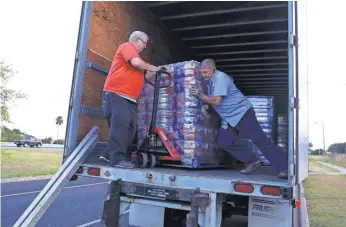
48,194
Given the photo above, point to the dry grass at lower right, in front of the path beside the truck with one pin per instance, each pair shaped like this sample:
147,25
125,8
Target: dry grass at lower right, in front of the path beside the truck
326,198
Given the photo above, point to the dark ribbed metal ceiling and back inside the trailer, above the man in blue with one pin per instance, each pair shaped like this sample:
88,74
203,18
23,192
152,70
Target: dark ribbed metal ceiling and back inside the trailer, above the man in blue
248,40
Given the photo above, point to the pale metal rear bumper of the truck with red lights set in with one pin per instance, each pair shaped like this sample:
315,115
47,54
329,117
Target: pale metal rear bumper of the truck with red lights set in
173,179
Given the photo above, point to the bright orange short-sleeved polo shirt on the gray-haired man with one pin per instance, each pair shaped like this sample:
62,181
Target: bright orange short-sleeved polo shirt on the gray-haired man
123,78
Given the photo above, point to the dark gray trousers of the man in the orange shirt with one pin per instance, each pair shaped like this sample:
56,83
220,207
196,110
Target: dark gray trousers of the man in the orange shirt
122,121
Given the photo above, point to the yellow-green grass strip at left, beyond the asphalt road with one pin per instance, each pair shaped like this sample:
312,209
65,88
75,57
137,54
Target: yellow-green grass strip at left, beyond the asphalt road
24,162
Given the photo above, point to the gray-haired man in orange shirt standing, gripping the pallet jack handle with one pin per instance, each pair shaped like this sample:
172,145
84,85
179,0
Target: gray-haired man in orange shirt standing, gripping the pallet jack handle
121,91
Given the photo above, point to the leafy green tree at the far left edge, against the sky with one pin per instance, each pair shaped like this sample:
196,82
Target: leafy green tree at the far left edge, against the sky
8,96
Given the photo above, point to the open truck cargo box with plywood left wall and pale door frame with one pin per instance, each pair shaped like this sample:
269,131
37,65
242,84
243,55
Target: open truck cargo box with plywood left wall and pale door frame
254,42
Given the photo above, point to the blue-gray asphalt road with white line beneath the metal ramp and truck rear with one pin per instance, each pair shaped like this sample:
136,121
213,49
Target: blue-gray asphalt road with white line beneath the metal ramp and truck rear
78,205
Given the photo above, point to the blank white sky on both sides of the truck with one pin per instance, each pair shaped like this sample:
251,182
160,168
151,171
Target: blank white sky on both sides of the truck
39,40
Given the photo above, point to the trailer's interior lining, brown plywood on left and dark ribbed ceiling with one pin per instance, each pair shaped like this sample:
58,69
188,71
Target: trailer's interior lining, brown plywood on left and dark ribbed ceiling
248,40
